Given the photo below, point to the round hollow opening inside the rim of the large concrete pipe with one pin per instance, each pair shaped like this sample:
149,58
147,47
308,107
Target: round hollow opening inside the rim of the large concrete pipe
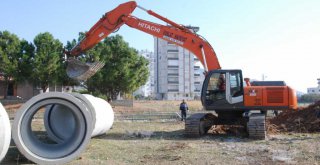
37,137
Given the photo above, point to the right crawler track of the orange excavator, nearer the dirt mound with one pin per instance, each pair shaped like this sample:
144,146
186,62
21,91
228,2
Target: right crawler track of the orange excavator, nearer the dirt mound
256,126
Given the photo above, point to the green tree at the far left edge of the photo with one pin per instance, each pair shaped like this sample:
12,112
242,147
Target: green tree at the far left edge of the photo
9,57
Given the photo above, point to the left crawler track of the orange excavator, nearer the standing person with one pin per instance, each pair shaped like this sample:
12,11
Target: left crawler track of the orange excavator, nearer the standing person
198,124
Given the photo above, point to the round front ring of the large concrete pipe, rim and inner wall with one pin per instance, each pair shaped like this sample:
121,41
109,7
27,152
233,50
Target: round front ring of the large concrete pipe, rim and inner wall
42,152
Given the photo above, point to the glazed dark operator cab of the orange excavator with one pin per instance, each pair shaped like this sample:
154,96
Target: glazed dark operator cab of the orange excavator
222,90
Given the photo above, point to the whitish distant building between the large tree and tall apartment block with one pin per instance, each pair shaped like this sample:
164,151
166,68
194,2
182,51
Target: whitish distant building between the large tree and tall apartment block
147,89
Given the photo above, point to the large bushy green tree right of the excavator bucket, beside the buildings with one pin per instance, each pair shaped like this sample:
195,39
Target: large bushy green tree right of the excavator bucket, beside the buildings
124,70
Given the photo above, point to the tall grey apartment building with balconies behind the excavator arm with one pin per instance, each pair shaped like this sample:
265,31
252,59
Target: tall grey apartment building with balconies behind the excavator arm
178,74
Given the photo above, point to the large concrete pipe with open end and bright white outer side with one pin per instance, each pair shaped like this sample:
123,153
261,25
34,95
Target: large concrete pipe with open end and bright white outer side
70,121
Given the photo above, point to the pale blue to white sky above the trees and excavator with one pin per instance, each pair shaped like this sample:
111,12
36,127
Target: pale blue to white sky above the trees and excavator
270,39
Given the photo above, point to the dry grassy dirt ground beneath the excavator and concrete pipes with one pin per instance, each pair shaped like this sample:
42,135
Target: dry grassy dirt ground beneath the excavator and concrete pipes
154,142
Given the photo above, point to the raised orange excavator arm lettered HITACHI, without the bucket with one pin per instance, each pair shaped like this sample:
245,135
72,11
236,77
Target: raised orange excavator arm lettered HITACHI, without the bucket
172,32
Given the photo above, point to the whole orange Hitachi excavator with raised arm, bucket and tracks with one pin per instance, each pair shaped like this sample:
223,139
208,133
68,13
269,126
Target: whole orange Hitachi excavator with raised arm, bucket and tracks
233,99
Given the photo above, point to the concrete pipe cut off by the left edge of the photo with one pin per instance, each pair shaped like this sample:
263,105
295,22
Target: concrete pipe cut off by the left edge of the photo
5,132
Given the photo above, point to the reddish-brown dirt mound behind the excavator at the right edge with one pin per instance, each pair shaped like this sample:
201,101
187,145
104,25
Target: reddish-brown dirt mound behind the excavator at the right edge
304,120
